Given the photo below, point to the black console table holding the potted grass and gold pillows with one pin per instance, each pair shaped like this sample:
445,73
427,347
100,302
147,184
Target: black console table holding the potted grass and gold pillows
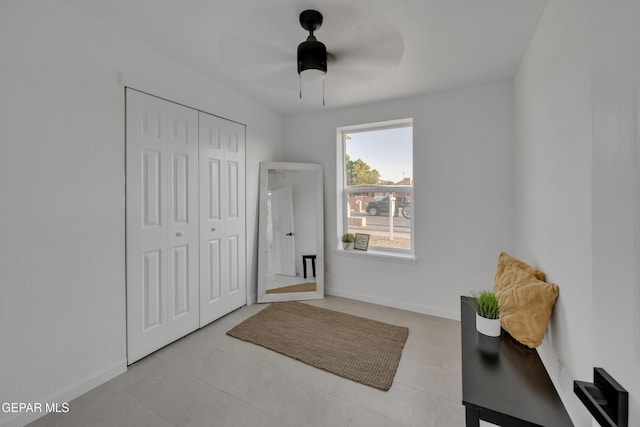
505,382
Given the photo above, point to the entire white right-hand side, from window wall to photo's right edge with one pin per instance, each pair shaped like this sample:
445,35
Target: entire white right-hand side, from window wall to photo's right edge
576,209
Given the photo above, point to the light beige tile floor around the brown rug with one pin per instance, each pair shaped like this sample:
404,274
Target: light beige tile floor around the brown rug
210,379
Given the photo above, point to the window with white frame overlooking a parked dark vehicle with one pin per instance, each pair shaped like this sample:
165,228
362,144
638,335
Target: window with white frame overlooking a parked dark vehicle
375,171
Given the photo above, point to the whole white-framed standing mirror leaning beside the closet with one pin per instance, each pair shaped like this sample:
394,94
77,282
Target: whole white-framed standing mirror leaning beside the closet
291,241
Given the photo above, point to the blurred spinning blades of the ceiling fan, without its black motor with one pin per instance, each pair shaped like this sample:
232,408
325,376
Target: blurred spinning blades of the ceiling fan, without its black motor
359,47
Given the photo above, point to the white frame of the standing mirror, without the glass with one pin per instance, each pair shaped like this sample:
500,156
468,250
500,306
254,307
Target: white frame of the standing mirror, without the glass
262,296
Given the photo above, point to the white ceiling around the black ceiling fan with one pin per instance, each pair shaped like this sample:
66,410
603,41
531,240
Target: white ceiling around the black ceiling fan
384,49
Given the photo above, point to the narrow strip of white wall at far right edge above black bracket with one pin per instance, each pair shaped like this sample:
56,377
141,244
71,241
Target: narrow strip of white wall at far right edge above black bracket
615,47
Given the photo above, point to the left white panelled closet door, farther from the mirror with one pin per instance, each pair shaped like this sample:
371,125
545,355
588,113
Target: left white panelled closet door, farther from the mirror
162,222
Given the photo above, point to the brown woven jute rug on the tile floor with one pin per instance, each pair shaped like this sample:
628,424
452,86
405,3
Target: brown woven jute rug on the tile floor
362,350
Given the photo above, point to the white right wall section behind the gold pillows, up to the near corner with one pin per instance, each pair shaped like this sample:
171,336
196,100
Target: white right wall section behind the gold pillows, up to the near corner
553,184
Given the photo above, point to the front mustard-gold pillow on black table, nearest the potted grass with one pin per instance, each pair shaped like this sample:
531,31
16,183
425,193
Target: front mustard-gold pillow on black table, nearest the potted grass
526,306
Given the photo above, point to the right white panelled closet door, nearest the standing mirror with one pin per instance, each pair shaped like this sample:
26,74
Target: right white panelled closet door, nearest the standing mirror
222,217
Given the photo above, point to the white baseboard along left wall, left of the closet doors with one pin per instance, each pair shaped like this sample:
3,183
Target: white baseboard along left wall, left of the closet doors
68,394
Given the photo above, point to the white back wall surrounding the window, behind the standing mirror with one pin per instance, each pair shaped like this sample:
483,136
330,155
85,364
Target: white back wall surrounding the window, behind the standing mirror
463,201
